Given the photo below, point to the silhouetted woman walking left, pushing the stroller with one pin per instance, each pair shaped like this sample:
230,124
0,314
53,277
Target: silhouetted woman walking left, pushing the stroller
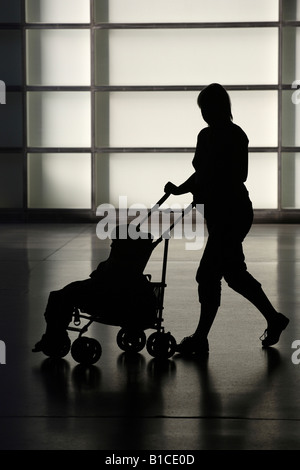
221,168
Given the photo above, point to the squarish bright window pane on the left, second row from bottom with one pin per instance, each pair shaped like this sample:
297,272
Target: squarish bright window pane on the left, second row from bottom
59,119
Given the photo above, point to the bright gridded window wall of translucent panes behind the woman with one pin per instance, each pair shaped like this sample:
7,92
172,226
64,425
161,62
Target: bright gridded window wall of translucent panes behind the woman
111,86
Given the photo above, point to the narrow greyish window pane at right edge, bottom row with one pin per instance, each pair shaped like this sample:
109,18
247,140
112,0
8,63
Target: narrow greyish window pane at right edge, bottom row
290,180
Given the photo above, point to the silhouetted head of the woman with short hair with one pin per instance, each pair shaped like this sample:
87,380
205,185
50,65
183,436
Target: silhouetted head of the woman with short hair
215,104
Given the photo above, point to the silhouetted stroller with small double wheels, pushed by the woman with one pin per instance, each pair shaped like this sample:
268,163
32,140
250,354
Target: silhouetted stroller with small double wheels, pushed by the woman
132,302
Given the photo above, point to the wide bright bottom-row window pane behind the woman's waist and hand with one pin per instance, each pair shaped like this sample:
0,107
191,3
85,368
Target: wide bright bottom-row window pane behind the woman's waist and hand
141,178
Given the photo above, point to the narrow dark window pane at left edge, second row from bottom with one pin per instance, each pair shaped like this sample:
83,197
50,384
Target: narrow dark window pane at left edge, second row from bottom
11,115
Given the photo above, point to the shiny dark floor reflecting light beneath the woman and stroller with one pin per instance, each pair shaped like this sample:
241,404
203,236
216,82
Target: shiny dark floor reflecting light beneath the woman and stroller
241,398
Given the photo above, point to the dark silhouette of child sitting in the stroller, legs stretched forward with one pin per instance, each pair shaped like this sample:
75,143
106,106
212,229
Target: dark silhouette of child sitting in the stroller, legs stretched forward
117,292
